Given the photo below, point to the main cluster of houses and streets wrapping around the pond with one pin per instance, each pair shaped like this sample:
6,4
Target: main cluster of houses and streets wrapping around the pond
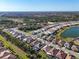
44,39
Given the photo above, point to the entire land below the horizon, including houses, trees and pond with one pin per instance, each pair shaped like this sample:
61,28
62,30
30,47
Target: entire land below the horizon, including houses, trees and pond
39,35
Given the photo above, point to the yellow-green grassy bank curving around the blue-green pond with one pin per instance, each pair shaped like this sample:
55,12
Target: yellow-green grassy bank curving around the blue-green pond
60,31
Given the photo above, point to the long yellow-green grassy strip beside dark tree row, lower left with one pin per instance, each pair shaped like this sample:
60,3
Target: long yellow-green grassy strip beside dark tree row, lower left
17,51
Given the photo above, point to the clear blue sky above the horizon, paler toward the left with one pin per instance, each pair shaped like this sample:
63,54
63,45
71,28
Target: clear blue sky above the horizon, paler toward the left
39,5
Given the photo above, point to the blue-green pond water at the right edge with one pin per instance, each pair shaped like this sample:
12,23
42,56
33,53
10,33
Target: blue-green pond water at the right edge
72,32
